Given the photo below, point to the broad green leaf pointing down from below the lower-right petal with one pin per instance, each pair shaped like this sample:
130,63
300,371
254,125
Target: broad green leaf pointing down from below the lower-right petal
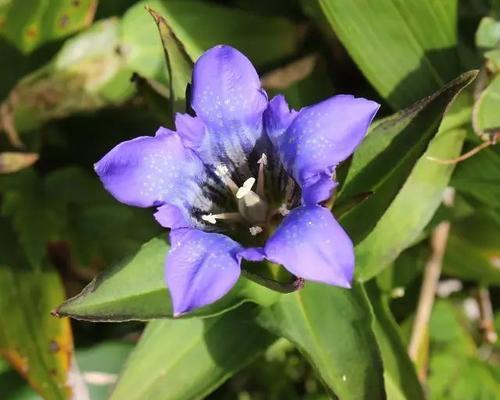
331,326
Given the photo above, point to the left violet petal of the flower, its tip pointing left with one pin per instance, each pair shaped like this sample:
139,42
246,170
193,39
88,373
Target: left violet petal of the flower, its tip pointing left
153,171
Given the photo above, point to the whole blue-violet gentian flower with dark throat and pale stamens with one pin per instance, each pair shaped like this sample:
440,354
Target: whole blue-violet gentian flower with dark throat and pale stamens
242,179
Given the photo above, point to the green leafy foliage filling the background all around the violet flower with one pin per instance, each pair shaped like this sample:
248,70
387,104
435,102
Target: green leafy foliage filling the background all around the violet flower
79,76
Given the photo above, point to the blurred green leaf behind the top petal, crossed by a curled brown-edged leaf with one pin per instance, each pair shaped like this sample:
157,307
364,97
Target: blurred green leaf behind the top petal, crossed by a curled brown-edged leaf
199,26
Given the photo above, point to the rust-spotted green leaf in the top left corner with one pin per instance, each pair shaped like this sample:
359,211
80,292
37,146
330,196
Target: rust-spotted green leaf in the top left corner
28,24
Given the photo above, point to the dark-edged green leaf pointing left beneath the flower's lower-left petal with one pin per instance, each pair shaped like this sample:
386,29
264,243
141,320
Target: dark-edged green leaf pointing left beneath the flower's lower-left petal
135,290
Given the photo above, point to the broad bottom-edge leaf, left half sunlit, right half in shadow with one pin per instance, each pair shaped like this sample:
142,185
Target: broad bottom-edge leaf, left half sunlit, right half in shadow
188,359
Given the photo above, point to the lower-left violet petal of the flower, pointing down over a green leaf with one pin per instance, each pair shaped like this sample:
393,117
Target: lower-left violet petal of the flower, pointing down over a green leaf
201,268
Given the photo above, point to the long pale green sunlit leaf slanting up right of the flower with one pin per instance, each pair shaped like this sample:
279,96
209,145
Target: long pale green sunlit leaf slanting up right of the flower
419,198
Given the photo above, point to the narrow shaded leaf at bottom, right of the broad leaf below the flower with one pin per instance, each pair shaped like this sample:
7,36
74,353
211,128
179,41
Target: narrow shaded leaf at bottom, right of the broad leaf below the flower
401,380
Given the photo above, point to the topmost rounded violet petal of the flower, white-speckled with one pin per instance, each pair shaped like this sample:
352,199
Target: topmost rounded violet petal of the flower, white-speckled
227,97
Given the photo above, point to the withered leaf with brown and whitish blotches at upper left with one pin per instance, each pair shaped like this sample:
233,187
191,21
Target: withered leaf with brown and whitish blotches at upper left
86,74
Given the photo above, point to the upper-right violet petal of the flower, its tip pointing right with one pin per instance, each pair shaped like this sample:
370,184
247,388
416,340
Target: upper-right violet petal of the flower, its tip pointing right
320,137
